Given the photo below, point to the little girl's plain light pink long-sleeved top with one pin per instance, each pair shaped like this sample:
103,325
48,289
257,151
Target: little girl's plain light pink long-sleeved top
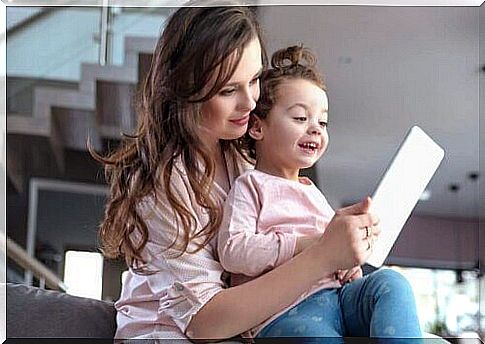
263,216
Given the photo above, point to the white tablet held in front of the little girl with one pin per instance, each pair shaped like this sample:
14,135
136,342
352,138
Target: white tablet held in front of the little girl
399,190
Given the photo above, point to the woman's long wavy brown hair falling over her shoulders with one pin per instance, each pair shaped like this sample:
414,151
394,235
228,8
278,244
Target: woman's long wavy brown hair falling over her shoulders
195,57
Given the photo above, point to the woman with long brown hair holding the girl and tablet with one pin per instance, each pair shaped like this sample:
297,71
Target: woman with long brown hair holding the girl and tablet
169,180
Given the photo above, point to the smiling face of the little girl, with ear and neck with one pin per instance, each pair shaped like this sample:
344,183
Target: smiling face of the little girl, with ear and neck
294,134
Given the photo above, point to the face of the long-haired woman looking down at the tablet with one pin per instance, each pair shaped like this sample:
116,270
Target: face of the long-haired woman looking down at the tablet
226,115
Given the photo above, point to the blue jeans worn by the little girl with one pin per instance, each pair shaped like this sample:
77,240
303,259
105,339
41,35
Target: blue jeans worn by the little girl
379,305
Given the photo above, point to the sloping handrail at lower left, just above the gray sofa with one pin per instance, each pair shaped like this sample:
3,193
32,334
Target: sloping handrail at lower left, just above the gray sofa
22,258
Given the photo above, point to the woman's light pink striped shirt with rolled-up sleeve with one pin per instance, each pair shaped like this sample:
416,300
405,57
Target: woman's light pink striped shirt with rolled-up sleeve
161,305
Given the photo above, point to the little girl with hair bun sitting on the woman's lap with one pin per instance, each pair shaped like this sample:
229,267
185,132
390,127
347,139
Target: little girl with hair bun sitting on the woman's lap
273,214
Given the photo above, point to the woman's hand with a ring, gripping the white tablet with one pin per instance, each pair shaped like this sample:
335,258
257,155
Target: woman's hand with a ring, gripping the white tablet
349,237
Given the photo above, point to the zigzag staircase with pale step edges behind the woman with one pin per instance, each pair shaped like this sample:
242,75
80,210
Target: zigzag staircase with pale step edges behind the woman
63,117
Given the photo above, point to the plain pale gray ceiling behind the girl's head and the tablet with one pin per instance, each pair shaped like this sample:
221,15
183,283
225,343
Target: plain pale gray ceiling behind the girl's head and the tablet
387,69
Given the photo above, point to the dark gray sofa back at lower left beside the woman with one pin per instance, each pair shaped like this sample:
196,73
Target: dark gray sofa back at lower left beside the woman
34,312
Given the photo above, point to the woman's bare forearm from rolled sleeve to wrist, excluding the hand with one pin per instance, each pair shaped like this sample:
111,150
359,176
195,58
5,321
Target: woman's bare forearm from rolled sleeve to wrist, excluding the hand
235,310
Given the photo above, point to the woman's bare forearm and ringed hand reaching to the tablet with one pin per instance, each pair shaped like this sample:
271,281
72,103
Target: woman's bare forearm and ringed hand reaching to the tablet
235,310
